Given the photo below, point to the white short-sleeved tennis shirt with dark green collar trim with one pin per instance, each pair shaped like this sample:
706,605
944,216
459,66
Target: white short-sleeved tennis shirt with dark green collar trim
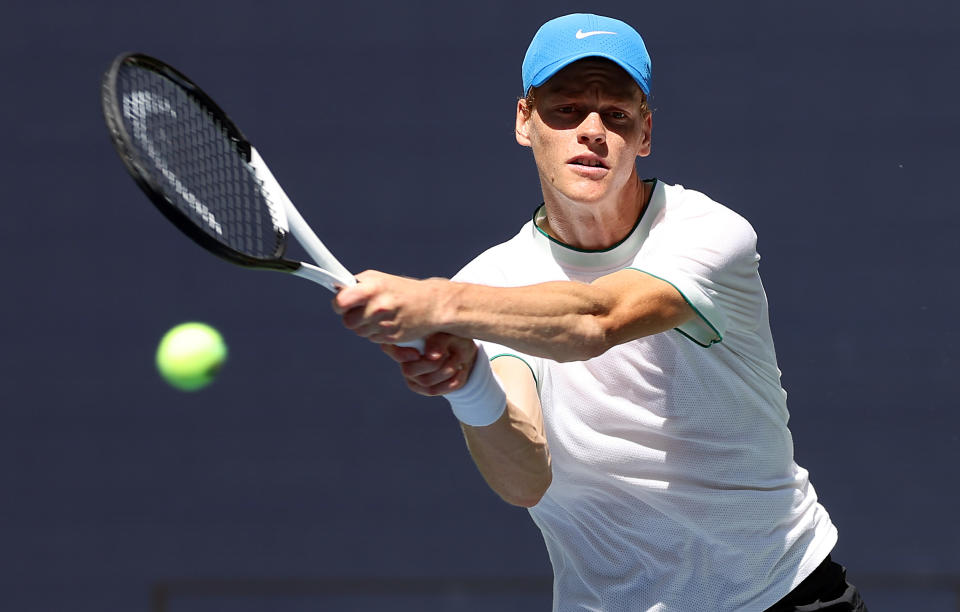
674,485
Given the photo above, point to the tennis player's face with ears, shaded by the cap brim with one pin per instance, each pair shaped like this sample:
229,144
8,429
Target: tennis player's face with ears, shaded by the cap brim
586,130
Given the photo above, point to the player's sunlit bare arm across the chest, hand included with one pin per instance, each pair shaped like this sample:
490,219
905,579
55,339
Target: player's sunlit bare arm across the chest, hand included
561,320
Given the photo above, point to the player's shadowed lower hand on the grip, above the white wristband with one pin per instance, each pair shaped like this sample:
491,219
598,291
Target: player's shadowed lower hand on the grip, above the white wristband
444,366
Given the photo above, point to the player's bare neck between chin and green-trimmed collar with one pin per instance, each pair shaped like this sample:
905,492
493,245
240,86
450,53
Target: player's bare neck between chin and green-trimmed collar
595,225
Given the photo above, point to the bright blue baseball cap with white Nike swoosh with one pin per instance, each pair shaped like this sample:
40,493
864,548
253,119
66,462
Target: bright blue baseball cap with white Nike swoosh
564,40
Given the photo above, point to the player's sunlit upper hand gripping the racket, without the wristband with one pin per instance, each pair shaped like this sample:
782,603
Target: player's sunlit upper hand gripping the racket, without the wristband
389,309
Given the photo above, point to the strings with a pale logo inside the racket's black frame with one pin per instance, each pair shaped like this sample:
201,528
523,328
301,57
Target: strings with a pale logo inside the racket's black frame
189,154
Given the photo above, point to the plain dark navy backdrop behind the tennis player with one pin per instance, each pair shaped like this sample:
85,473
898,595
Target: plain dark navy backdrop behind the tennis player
832,126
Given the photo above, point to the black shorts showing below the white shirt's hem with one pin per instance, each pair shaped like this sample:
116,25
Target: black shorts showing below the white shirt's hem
825,589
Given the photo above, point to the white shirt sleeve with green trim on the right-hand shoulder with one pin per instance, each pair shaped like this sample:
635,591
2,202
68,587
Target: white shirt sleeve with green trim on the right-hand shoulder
709,255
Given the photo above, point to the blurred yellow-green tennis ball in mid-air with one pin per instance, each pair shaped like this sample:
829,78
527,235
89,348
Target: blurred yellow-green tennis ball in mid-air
190,355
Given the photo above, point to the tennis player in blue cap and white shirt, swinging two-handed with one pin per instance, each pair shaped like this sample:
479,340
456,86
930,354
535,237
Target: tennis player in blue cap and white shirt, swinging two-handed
612,364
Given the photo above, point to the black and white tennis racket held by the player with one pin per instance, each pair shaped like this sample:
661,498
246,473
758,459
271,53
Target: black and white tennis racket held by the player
200,171
